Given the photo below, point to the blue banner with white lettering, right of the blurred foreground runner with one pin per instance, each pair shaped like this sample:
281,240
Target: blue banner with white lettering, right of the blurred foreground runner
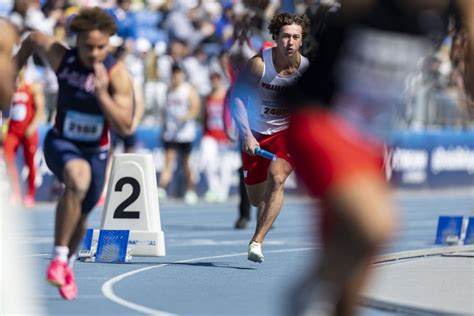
432,159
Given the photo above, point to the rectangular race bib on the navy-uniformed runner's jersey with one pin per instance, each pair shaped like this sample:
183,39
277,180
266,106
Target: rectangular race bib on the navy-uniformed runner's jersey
82,126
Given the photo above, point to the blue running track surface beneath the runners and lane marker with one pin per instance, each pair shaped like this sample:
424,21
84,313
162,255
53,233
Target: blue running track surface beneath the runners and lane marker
206,272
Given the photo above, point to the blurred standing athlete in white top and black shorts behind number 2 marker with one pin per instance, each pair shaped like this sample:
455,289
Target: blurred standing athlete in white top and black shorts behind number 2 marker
179,132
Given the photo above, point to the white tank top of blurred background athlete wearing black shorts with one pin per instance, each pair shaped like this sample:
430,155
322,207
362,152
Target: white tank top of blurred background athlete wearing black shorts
177,105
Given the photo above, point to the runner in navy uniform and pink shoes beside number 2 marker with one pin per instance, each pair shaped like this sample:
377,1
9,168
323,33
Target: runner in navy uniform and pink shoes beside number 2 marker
94,91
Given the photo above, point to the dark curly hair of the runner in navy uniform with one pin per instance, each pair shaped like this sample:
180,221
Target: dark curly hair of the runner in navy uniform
90,19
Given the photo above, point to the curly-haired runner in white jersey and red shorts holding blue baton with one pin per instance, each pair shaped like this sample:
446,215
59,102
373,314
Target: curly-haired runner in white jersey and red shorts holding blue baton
263,121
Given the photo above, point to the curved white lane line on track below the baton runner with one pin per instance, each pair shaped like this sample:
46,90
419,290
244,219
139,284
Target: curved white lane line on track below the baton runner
107,287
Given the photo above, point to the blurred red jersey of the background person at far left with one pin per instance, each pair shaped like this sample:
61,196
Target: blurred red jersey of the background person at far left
22,110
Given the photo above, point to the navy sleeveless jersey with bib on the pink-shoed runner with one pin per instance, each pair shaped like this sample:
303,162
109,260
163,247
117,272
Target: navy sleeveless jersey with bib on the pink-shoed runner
79,115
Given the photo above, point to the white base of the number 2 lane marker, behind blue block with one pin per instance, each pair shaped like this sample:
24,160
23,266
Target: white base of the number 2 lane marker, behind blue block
142,243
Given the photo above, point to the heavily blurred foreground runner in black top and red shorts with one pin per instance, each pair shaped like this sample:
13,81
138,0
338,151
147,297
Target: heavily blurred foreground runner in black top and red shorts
342,108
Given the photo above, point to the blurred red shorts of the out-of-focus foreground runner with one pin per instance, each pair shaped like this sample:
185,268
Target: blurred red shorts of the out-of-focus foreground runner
327,150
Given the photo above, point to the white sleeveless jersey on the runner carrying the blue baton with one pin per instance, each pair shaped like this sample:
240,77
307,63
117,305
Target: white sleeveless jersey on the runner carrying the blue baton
265,113
